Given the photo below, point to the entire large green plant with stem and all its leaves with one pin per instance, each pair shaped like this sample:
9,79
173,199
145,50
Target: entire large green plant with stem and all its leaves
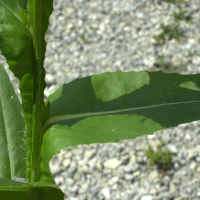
107,107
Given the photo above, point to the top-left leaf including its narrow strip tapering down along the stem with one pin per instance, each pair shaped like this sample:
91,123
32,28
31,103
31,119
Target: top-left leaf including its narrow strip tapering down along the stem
17,47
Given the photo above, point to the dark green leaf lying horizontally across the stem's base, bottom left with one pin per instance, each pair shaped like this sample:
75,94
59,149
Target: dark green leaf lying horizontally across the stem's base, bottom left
33,191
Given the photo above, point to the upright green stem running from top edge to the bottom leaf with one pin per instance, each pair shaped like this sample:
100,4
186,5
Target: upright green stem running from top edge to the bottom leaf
38,107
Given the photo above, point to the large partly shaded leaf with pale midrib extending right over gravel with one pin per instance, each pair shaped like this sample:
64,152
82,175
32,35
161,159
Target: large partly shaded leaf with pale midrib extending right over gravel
116,106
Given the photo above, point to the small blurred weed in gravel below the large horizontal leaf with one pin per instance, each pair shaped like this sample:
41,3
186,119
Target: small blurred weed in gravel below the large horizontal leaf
160,158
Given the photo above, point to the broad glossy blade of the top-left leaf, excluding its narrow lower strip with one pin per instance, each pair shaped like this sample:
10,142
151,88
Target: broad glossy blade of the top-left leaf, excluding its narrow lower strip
15,38
